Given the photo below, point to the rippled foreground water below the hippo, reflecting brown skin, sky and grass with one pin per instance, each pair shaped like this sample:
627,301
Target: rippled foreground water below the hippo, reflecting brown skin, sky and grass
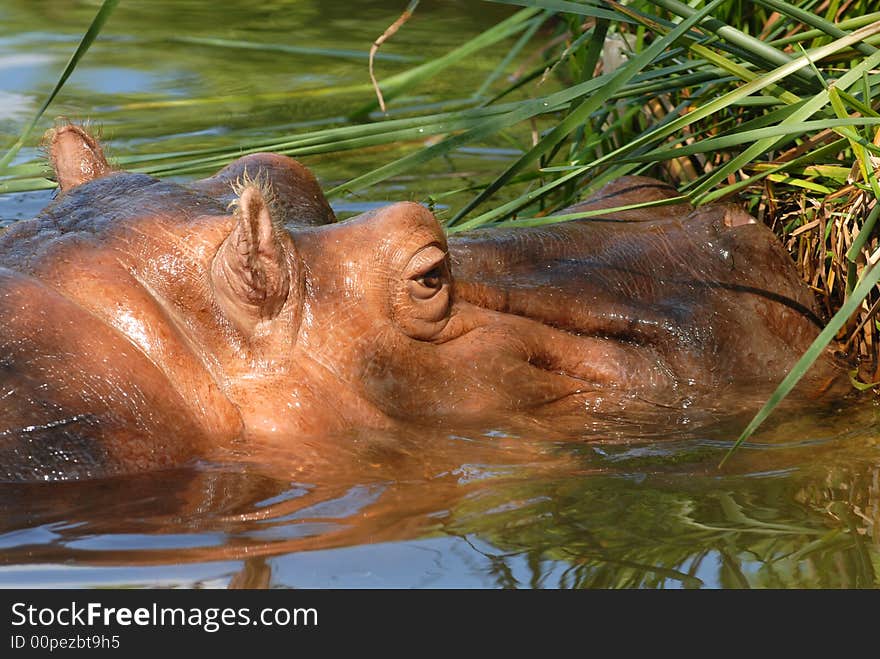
477,511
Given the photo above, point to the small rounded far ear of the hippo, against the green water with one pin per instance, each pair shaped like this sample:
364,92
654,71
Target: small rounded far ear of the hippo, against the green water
76,156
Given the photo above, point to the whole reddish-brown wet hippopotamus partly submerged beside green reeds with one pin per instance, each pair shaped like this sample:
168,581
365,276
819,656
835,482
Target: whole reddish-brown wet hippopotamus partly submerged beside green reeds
144,322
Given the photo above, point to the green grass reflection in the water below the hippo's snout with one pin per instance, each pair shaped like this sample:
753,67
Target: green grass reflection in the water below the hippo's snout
665,534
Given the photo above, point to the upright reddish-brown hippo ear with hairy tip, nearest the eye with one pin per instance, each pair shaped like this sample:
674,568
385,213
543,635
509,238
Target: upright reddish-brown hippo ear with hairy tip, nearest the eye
251,271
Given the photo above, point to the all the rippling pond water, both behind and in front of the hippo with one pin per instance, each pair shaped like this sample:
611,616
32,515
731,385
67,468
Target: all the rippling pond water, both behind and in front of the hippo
799,506
